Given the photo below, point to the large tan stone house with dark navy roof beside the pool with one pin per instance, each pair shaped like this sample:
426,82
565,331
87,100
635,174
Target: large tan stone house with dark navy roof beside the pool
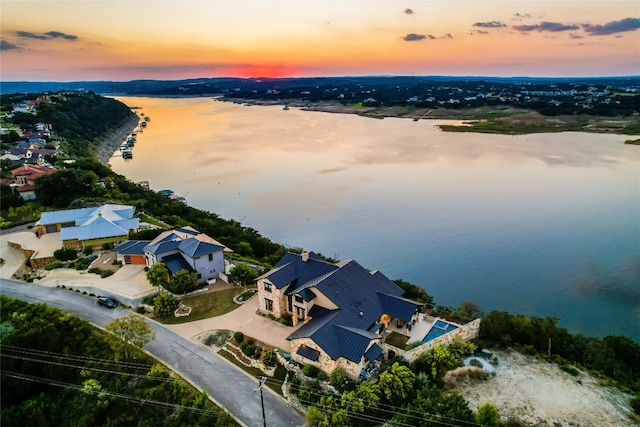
343,308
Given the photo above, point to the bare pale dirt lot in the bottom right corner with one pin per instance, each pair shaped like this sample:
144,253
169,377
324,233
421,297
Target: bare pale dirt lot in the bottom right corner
540,394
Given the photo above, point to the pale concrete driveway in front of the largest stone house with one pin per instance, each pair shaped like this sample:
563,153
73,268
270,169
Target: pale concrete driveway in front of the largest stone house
243,319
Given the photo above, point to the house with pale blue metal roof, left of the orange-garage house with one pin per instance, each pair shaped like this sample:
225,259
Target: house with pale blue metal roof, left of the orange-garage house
90,226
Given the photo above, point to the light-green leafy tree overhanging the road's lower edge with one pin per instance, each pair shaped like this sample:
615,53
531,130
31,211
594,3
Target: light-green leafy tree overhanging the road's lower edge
129,330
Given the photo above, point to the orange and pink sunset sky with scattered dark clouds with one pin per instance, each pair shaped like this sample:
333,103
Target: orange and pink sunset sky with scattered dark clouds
126,40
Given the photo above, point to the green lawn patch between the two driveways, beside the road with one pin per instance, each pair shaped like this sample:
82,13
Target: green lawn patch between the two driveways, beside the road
203,306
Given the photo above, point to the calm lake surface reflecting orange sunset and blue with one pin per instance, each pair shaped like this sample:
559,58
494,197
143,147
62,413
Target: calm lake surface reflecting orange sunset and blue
545,224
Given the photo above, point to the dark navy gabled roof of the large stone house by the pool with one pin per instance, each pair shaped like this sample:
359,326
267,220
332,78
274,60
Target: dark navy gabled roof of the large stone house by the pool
361,297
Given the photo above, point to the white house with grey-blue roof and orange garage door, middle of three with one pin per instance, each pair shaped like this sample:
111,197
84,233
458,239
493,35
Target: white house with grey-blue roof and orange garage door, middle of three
184,248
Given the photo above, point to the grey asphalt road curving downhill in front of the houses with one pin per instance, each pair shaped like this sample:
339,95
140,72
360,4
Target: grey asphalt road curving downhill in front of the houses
226,384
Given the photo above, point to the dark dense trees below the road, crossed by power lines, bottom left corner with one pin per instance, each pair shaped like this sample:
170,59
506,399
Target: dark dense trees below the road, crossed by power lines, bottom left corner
58,370
